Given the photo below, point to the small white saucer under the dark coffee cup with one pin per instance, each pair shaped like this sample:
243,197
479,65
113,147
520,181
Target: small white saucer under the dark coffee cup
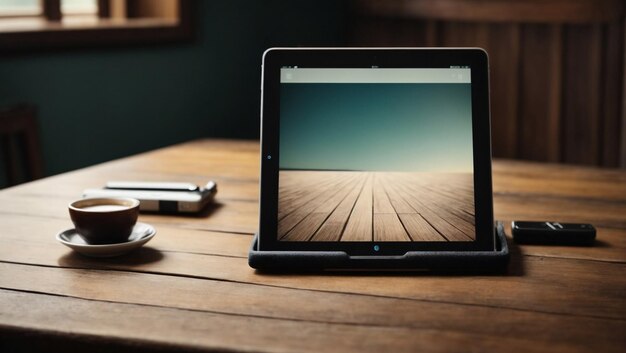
142,233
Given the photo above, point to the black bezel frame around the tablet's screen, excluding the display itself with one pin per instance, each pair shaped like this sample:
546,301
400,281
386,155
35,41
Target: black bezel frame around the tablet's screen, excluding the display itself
275,58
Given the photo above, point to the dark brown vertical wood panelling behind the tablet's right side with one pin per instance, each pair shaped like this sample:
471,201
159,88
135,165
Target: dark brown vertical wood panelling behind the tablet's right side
557,67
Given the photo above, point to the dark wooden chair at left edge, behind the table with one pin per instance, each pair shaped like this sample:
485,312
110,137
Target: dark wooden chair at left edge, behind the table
20,144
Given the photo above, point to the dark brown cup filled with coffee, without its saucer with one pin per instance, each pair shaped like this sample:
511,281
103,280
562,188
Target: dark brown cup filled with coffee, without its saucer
104,220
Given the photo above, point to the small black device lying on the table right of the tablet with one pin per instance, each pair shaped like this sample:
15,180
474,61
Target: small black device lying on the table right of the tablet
556,233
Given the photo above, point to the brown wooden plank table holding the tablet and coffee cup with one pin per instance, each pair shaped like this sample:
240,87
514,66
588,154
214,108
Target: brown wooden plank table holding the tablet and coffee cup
191,287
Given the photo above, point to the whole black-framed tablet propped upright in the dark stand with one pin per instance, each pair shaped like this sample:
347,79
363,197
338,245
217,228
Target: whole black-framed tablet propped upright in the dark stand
375,152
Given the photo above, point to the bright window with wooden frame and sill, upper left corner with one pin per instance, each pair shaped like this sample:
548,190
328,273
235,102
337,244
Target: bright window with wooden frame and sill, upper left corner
35,24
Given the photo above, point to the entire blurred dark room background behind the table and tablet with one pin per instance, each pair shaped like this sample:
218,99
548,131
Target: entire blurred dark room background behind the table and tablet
86,81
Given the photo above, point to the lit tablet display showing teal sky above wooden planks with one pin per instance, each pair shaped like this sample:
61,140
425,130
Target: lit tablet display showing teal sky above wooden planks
375,155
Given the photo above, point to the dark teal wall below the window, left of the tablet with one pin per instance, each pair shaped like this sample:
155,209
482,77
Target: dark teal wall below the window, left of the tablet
100,104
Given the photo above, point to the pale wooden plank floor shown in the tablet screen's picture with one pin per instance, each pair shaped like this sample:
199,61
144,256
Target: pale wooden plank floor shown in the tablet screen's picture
371,206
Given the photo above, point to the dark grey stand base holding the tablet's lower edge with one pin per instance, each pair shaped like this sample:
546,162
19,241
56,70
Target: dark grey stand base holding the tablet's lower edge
436,261
